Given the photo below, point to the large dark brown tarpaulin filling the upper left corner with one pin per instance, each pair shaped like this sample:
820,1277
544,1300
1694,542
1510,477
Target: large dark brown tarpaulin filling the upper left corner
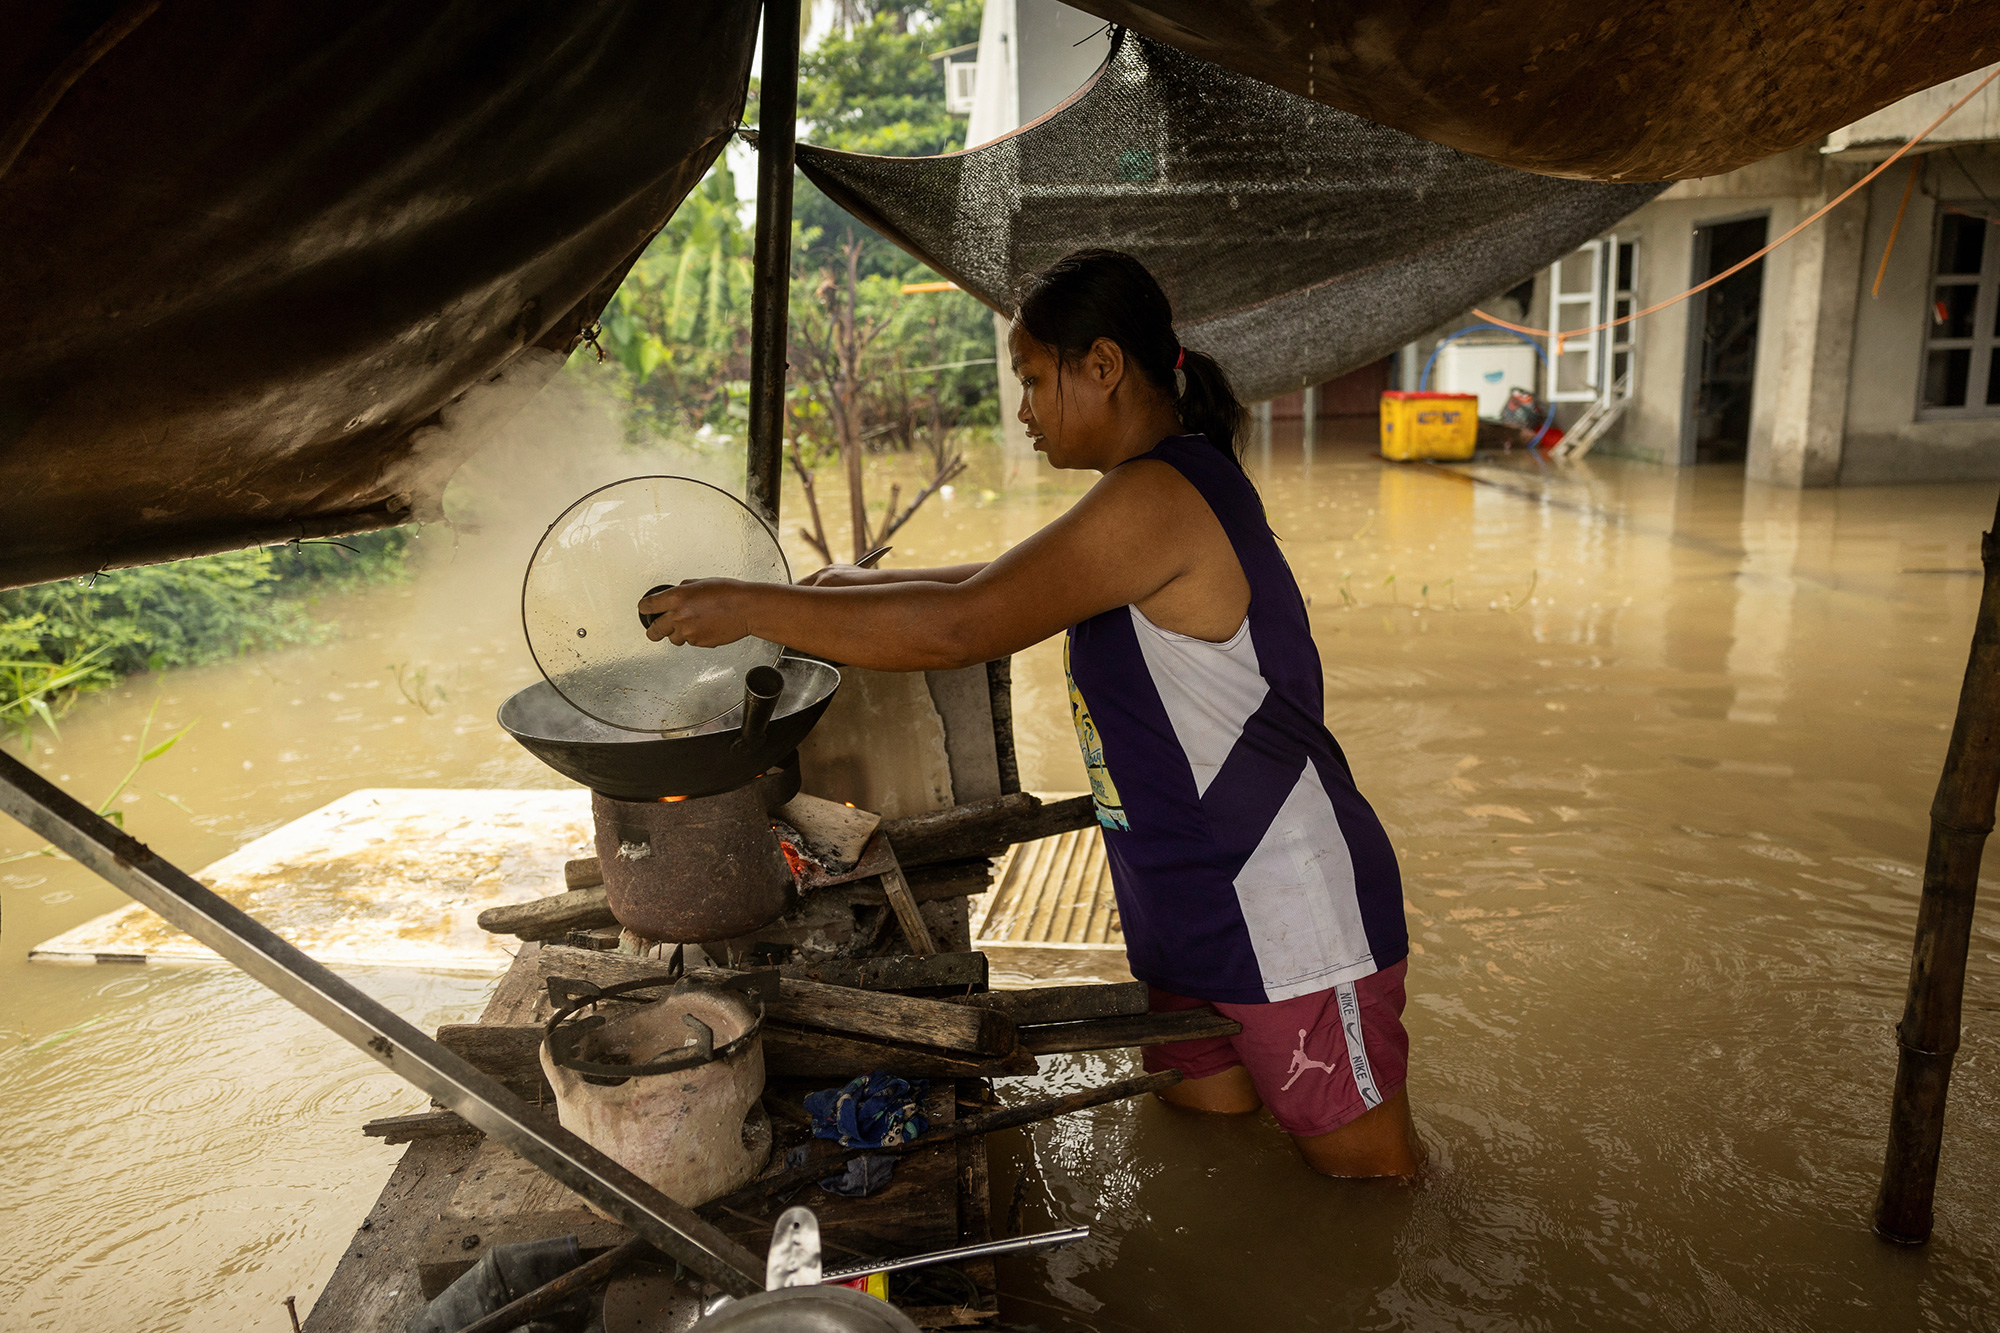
257,255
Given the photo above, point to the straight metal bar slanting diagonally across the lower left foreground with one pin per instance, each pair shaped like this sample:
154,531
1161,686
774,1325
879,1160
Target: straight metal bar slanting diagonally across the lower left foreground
109,852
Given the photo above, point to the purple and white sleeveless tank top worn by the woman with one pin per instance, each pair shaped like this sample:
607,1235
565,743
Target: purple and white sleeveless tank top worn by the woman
1245,860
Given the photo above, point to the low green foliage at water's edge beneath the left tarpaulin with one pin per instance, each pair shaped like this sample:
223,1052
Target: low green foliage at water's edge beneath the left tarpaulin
61,639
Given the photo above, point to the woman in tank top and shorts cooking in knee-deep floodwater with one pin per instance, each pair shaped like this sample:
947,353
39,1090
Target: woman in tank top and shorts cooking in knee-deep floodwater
1251,874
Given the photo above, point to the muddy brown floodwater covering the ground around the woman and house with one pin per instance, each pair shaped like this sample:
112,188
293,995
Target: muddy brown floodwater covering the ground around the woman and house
1655,750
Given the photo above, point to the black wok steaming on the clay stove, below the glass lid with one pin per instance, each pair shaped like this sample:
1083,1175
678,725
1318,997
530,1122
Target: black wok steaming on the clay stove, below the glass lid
633,766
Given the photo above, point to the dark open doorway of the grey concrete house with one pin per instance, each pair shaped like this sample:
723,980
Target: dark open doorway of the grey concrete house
1723,343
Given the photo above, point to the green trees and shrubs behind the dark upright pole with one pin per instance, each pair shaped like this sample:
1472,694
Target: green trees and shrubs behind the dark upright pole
679,327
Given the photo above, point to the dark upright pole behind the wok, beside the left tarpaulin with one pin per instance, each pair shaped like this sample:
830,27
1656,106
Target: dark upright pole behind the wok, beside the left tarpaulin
771,301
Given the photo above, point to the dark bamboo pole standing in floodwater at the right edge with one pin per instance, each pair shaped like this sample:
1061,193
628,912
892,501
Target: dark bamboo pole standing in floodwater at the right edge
1927,1040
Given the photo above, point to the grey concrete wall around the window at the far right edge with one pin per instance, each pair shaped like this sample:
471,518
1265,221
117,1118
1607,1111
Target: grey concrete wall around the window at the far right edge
1885,443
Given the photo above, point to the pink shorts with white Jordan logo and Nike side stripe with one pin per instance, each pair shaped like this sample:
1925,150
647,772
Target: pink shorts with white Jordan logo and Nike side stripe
1317,1060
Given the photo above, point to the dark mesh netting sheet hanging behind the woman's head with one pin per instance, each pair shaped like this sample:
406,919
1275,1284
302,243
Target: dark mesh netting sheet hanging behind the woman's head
1295,241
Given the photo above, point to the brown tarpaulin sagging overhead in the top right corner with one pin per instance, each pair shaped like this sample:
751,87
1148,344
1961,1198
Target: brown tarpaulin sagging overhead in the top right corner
1637,91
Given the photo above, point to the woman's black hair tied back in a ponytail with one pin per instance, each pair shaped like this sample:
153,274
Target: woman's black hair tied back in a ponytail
1091,295
